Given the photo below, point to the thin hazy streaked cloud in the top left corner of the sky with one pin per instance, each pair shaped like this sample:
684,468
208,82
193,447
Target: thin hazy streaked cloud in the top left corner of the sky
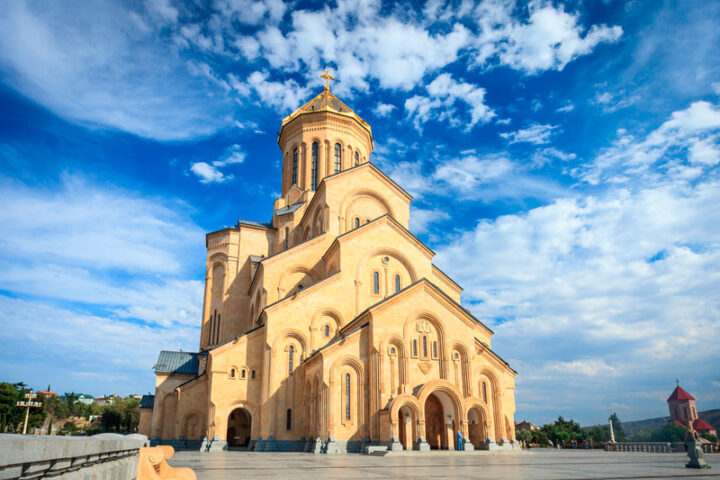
104,67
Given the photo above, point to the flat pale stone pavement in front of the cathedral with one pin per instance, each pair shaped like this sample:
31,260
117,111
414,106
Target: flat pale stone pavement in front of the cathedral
538,464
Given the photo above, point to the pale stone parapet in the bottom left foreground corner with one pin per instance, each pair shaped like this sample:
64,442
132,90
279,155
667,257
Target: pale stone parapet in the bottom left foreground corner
107,456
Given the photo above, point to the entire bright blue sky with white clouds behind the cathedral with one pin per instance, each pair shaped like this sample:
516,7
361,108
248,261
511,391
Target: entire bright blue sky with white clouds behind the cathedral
563,158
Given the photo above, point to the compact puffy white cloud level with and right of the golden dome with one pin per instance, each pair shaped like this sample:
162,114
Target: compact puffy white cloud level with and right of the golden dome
440,104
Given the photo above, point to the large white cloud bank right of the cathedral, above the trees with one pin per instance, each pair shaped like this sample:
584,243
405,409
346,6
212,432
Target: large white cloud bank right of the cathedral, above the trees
600,292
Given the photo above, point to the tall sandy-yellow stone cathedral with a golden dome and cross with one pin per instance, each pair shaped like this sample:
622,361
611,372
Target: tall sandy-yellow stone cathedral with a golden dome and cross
329,328
